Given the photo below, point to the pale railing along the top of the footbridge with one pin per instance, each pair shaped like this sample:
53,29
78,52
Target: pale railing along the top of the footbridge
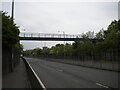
48,35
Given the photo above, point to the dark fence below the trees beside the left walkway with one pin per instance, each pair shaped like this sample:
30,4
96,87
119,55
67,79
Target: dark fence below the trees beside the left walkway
10,58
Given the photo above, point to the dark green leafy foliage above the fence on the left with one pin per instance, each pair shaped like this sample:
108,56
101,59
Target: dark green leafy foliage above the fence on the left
10,32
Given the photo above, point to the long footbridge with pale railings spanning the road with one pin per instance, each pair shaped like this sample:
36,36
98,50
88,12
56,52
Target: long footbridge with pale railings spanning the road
53,37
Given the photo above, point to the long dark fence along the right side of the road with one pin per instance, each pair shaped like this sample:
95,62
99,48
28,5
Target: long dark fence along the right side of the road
106,60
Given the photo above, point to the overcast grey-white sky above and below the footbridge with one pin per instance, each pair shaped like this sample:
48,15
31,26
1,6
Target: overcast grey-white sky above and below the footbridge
72,17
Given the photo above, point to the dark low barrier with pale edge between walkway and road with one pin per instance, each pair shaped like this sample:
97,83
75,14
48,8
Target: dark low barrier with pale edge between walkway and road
34,79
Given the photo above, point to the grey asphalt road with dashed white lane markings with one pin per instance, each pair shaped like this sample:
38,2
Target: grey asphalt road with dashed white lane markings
59,75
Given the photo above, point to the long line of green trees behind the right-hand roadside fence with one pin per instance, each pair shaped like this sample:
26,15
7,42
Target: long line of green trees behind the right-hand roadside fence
107,46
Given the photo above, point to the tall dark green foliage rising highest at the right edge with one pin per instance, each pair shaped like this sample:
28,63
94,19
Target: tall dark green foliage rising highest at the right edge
111,37
